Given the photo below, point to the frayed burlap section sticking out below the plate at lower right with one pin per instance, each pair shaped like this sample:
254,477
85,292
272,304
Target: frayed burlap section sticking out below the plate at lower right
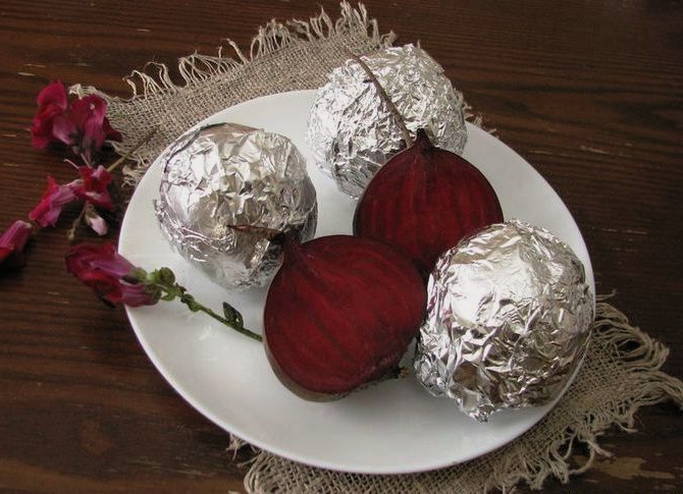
621,373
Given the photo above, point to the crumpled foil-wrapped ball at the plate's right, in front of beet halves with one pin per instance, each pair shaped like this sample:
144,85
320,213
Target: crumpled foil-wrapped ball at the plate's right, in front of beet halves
509,314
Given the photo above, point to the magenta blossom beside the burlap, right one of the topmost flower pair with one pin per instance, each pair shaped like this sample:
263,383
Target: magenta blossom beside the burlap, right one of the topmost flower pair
85,127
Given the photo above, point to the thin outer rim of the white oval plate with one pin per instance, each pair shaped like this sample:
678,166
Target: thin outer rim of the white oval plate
168,376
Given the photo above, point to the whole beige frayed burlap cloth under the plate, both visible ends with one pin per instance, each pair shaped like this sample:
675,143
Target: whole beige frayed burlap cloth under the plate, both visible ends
620,373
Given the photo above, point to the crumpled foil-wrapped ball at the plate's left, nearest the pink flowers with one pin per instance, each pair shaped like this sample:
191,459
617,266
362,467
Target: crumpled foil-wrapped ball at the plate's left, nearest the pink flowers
224,175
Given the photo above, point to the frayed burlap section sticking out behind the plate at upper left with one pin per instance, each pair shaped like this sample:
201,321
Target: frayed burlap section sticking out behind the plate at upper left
282,57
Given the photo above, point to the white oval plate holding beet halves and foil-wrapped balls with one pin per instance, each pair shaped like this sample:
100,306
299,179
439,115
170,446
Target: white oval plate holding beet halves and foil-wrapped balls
395,427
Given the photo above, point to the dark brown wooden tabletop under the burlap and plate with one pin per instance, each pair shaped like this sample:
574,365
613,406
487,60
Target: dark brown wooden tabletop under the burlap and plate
589,92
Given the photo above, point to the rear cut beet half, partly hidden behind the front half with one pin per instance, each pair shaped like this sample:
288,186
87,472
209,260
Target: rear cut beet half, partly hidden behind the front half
424,200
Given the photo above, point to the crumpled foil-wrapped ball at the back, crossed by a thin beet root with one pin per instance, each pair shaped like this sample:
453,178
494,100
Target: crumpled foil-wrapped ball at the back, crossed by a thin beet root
352,134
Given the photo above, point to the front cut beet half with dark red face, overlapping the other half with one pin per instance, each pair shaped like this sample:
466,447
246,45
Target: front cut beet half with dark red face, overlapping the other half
340,313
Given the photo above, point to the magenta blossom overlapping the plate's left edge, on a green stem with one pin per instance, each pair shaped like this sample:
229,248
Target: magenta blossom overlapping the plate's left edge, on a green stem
114,278
